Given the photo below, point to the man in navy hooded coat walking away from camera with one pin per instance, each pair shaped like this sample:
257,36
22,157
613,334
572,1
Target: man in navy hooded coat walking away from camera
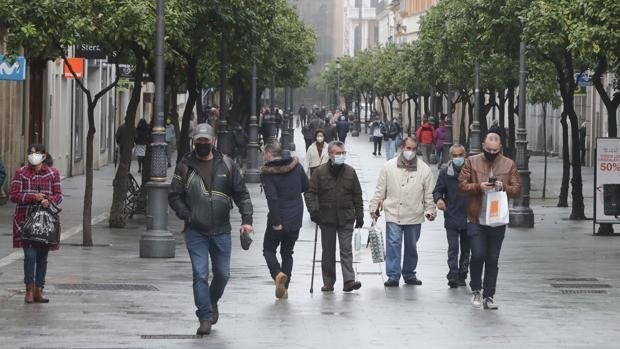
284,181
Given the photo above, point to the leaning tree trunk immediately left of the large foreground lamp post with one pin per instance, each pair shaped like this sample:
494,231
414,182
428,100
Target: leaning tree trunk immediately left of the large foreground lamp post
126,142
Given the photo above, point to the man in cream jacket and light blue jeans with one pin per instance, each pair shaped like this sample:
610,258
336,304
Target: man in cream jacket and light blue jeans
405,187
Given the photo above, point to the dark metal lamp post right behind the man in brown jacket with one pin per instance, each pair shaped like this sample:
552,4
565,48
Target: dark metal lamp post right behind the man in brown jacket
521,214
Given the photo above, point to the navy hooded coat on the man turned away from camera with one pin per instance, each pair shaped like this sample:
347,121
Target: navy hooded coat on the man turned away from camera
284,182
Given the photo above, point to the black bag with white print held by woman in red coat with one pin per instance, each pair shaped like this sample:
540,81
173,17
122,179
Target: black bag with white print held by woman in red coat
42,225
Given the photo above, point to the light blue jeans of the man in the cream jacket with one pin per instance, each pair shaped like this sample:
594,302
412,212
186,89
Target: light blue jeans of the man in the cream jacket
395,234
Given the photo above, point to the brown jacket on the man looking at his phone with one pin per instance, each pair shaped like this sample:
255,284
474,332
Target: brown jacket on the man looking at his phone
478,169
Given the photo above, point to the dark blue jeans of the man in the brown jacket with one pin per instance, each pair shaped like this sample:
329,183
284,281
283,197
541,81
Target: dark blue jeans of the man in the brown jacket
486,243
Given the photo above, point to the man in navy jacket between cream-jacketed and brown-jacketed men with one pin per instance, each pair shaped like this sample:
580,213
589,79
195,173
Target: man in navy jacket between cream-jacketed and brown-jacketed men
452,203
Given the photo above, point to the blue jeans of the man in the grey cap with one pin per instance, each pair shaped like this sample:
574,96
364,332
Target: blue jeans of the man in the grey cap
200,247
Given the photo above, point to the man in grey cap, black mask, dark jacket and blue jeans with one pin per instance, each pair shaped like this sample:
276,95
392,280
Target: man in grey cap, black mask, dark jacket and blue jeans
204,185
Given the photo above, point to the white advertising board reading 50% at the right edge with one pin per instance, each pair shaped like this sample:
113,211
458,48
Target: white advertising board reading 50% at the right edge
607,181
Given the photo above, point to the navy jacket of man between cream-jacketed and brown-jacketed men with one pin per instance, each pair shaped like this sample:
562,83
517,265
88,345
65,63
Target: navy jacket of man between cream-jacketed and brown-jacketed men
447,188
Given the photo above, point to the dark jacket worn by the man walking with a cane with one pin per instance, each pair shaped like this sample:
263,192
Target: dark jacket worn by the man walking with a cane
335,195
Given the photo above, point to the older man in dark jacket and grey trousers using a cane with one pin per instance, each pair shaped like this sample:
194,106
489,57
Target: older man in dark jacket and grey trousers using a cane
334,201
